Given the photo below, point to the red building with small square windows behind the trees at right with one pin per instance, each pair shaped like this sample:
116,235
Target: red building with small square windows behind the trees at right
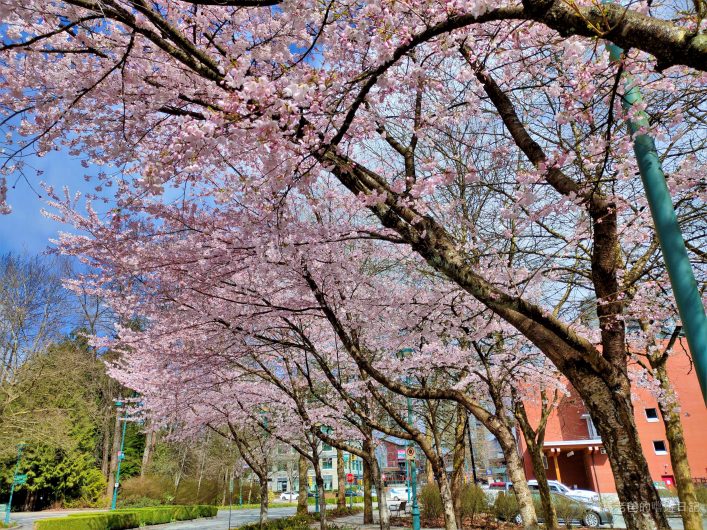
574,451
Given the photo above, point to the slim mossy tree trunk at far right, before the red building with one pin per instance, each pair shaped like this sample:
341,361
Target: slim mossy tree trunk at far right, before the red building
691,513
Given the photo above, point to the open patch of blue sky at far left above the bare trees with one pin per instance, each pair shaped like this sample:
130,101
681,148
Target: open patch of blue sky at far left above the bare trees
26,229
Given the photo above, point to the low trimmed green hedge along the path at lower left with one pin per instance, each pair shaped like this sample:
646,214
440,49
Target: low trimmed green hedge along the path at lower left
126,518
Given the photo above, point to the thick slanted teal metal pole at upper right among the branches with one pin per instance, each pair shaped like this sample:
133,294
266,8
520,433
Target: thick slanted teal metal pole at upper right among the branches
677,262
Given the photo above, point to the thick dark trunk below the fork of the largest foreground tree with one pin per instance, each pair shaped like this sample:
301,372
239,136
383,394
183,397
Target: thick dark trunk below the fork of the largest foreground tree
608,399
